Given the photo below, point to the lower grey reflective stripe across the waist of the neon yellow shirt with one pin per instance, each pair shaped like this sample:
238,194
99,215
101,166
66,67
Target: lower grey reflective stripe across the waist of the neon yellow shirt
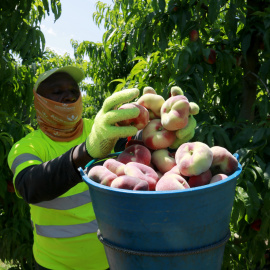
65,231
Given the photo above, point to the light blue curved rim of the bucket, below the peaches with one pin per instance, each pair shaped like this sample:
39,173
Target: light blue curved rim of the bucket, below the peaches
92,183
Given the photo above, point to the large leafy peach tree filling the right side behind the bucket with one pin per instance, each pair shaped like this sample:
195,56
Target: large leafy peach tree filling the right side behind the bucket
218,52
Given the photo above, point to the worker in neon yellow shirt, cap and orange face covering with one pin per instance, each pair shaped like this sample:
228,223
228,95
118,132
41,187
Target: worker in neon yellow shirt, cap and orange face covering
45,166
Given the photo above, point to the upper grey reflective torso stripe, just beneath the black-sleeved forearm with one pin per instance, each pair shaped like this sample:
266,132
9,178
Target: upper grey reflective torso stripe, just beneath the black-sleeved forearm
65,203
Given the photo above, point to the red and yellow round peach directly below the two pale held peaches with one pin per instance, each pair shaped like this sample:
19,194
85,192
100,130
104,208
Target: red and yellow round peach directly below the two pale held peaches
155,136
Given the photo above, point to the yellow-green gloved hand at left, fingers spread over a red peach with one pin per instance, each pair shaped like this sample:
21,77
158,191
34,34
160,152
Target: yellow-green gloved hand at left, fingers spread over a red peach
104,133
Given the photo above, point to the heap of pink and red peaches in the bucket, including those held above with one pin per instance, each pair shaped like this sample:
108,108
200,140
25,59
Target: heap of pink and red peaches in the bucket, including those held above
164,159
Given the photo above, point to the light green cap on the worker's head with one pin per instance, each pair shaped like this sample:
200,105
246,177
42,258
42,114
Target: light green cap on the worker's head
76,73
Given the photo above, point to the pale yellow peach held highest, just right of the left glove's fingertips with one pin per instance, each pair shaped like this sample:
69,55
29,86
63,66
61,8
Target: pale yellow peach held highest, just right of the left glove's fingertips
152,103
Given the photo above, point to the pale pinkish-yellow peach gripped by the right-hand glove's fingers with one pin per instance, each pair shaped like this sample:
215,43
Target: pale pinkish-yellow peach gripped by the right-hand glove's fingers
175,112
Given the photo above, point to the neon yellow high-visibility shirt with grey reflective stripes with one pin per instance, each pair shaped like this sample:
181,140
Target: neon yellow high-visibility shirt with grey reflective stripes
65,229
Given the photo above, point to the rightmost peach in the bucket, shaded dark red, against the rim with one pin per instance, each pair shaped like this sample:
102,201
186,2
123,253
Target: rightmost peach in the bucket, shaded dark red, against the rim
223,161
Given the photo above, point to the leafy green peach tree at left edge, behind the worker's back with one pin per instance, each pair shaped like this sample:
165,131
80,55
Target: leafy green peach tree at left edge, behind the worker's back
21,46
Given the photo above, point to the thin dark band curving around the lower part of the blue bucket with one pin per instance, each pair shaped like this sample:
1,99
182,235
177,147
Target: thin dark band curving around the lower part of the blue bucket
165,254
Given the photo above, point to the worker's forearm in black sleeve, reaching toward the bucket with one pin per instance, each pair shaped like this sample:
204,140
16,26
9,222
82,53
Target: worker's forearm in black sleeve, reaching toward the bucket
51,179
